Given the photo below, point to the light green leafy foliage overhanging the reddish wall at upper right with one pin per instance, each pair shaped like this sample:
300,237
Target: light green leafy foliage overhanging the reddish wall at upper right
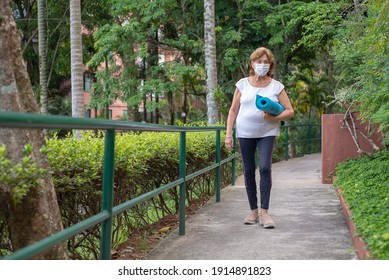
361,54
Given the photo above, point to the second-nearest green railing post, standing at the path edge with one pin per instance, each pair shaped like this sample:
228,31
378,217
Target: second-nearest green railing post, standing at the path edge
181,230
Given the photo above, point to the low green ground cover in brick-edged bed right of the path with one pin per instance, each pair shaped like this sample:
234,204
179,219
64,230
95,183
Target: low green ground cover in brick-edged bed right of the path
364,183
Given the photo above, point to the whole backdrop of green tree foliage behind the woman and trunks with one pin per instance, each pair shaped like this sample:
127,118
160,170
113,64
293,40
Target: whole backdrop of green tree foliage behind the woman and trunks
331,47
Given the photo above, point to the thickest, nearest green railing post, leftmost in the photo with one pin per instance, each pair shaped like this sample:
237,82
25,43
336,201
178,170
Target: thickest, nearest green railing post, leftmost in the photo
106,227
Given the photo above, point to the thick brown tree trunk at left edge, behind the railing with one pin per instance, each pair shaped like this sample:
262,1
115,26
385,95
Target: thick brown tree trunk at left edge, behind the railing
38,215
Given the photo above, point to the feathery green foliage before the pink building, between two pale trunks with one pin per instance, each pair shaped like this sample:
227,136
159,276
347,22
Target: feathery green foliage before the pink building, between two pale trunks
141,32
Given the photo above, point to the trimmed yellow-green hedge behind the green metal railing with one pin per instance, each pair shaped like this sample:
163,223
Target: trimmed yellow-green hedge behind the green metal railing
143,162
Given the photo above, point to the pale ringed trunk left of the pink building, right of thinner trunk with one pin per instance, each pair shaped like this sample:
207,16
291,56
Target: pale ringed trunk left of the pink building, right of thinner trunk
77,67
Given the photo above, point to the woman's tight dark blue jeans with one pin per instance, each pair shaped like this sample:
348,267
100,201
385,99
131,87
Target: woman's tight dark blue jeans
248,147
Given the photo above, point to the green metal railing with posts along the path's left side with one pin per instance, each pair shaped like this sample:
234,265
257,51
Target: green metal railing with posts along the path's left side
108,211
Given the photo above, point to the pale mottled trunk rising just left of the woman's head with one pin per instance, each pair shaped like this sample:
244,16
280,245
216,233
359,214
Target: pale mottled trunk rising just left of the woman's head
210,60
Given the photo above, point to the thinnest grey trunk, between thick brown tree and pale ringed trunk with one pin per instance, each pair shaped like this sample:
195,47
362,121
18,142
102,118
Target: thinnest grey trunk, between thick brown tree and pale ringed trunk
42,40
